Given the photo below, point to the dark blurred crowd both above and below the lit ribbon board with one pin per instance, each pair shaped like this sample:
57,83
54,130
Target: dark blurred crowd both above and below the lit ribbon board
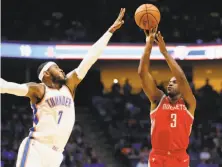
112,127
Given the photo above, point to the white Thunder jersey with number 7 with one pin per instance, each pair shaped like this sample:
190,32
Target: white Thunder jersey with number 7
54,118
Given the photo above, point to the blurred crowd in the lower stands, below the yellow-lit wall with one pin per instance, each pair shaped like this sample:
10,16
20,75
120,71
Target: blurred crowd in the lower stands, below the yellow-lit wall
123,119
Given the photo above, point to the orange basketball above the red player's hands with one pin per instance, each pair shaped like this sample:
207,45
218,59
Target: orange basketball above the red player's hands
147,16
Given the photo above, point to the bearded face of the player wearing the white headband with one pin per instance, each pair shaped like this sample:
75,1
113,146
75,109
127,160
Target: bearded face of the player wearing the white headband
57,74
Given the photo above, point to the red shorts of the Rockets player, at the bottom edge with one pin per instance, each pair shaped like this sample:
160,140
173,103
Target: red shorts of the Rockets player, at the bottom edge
161,158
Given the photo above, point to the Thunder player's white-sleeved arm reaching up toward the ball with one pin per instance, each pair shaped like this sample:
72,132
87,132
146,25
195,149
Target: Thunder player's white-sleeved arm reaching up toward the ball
75,77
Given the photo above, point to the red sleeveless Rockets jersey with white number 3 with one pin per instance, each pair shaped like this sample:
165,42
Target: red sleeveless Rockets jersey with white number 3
170,125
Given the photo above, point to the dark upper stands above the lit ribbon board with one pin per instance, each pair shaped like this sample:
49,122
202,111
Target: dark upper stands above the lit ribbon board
84,21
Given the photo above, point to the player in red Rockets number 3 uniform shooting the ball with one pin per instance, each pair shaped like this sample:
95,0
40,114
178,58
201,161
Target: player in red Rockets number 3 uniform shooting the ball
171,115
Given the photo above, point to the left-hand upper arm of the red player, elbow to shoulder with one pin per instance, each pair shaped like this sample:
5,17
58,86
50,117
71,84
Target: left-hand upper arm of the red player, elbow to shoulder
150,88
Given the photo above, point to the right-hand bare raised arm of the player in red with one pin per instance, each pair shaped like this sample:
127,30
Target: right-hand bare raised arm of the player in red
183,84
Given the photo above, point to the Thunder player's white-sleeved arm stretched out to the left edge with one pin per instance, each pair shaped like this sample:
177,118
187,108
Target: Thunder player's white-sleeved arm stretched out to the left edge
32,90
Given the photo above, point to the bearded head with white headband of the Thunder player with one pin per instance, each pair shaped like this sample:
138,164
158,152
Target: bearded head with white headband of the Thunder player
50,72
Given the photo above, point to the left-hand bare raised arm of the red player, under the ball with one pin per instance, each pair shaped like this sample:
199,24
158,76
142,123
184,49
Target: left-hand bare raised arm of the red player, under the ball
148,84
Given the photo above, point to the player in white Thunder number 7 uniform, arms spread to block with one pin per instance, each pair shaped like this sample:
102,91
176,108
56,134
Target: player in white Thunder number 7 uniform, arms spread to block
53,106
